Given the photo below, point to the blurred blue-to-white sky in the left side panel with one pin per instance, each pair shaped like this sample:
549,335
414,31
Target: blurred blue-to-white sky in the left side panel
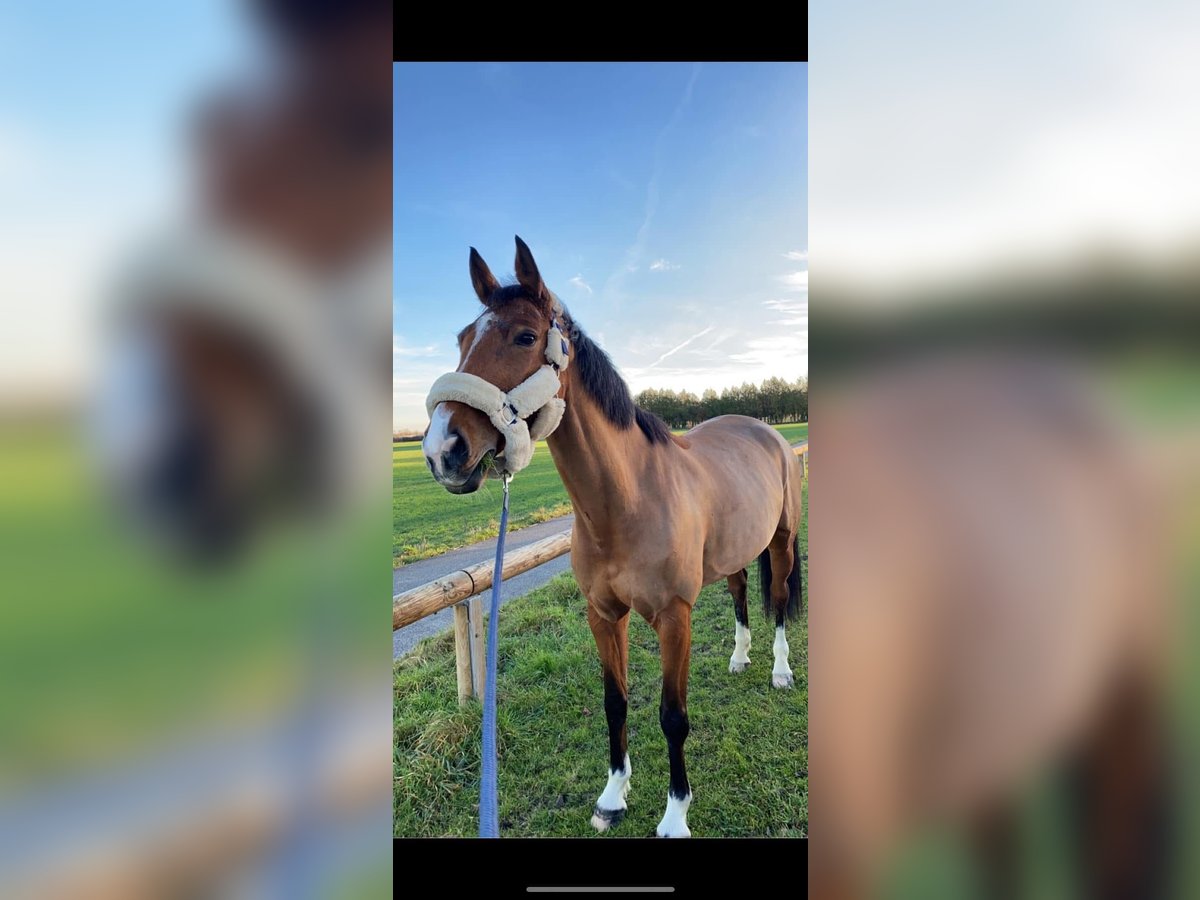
93,104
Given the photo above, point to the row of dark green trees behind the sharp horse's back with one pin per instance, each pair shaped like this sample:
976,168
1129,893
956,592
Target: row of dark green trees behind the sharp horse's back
775,401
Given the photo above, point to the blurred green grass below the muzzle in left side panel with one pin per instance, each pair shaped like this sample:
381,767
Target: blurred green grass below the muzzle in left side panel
105,649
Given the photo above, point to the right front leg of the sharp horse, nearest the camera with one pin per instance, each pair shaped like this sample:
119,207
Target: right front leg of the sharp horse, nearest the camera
674,627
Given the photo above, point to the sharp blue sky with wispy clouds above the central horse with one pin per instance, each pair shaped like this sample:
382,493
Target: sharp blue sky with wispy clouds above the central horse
667,205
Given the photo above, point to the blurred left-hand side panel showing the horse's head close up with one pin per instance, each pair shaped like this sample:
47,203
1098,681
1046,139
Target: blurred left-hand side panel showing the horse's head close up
196,207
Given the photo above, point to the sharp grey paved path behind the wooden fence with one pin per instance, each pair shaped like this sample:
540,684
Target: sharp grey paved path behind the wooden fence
417,574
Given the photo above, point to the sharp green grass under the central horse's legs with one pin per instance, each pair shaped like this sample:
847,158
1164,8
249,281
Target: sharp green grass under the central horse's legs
747,753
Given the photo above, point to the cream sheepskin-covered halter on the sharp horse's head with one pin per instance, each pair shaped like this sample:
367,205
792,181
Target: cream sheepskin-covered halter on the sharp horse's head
533,400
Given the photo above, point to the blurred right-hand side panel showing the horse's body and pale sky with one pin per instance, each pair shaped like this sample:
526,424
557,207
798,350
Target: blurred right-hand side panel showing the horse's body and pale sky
1005,517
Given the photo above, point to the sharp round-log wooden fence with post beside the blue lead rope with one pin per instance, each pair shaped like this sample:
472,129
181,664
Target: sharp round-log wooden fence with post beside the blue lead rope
461,591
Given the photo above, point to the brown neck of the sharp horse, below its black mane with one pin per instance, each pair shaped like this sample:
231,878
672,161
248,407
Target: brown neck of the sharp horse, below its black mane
598,464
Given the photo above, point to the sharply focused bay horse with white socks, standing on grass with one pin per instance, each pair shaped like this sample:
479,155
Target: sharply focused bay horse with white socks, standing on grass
658,517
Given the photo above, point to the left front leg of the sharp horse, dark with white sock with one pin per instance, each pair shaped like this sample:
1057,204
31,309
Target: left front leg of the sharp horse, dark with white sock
613,643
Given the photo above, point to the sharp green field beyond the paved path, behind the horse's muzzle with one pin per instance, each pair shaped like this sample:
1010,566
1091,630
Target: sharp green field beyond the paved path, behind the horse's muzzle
428,521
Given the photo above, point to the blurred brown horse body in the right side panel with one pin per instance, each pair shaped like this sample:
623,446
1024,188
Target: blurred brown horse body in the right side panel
995,611
